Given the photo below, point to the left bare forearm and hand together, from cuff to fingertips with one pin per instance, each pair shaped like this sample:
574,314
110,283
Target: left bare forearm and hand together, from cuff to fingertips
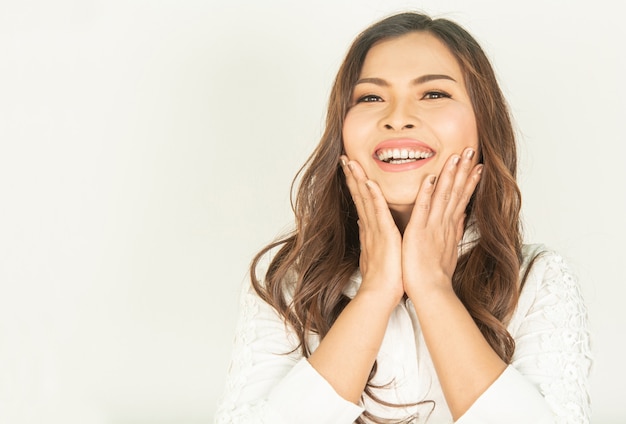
346,354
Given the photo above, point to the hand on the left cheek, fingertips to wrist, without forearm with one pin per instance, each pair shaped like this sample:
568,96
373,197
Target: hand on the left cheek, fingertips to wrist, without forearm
381,243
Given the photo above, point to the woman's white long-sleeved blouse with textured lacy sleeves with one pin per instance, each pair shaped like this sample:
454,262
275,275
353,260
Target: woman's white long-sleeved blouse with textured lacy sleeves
269,381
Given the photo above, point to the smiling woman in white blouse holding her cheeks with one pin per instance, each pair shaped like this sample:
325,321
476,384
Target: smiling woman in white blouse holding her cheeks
405,294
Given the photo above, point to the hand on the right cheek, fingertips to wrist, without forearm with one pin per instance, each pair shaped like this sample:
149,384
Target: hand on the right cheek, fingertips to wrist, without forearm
431,238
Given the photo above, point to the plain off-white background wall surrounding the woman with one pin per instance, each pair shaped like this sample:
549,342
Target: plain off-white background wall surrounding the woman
147,149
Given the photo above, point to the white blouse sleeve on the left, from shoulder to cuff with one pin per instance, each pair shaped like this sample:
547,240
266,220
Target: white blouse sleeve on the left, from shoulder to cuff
268,381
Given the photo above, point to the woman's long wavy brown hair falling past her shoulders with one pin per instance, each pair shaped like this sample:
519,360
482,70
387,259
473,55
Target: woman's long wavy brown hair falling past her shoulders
313,264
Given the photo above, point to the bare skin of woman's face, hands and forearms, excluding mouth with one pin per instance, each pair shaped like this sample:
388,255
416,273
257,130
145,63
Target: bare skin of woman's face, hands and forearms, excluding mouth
410,222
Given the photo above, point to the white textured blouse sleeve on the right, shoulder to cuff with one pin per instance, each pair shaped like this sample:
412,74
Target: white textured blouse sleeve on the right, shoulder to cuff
552,339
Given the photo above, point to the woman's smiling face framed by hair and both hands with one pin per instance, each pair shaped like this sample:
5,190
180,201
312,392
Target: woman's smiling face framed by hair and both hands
409,113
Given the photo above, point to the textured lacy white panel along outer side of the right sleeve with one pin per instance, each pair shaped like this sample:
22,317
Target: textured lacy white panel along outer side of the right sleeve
568,349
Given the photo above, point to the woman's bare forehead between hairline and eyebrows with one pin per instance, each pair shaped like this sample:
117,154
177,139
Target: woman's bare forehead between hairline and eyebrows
417,52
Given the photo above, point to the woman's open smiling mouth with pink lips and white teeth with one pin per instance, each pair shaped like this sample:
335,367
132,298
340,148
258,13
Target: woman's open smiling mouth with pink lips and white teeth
398,155
